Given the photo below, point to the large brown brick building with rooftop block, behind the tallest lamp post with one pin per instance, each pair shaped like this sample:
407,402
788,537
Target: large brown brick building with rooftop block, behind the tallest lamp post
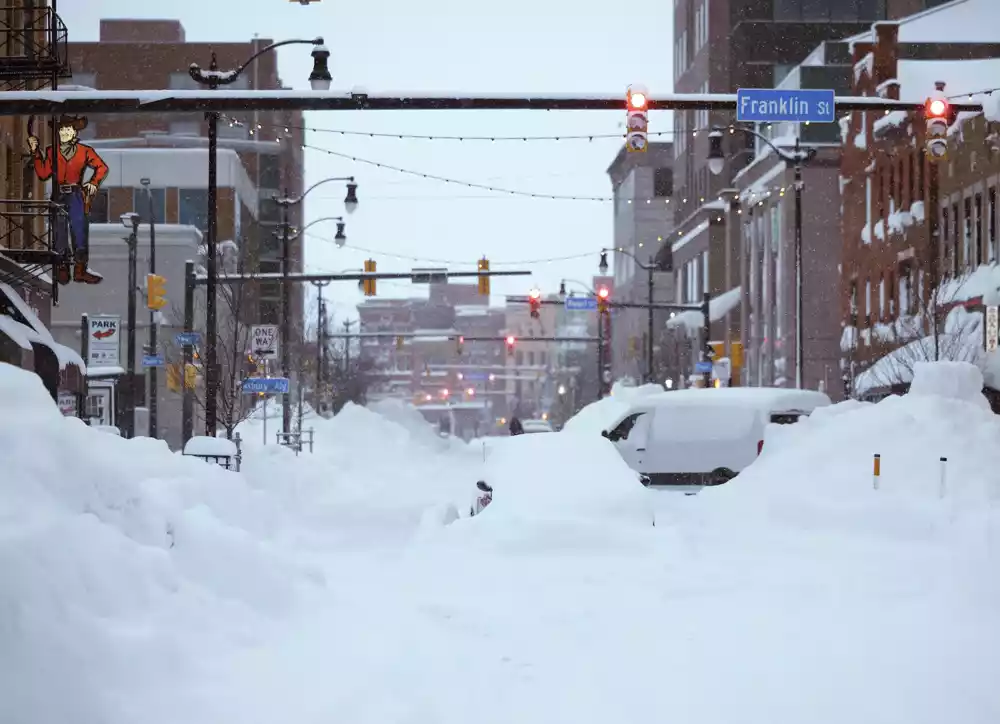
269,144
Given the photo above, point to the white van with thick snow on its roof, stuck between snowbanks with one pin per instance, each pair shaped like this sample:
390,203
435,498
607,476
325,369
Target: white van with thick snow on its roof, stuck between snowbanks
700,437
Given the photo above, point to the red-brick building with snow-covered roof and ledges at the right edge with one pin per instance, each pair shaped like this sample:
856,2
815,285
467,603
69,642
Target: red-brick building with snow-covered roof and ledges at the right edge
919,239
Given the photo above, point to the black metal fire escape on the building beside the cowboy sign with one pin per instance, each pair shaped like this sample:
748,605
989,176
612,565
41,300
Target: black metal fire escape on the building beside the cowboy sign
33,55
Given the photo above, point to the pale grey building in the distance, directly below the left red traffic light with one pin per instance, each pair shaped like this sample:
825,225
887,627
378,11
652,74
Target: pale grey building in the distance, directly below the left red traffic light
642,185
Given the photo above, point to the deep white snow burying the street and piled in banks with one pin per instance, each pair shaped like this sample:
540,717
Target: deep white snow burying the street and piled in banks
142,586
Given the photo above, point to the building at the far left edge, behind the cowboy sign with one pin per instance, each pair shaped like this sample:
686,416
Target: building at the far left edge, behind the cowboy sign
33,56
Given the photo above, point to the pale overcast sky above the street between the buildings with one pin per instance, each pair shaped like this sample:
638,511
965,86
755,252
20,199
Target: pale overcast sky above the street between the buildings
516,46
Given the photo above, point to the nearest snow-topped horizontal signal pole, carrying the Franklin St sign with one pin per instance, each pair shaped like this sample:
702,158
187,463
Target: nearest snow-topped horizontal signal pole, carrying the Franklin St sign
224,100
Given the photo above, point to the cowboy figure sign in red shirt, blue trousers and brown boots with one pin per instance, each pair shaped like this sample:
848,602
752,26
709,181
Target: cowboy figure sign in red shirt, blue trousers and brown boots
75,192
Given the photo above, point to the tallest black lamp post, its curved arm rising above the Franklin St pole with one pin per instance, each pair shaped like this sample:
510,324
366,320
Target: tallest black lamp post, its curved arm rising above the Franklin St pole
319,79
